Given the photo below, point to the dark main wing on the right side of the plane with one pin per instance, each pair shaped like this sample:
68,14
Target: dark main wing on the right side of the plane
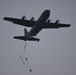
54,25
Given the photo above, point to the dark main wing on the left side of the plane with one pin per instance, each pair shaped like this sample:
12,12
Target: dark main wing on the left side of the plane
22,22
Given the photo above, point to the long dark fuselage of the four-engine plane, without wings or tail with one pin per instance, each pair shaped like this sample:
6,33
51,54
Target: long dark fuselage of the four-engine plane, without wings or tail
39,24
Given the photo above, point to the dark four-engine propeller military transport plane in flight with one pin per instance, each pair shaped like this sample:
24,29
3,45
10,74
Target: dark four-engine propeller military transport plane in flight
42,23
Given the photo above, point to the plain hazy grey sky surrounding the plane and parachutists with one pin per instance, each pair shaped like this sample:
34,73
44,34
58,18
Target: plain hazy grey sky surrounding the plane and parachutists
55,54
